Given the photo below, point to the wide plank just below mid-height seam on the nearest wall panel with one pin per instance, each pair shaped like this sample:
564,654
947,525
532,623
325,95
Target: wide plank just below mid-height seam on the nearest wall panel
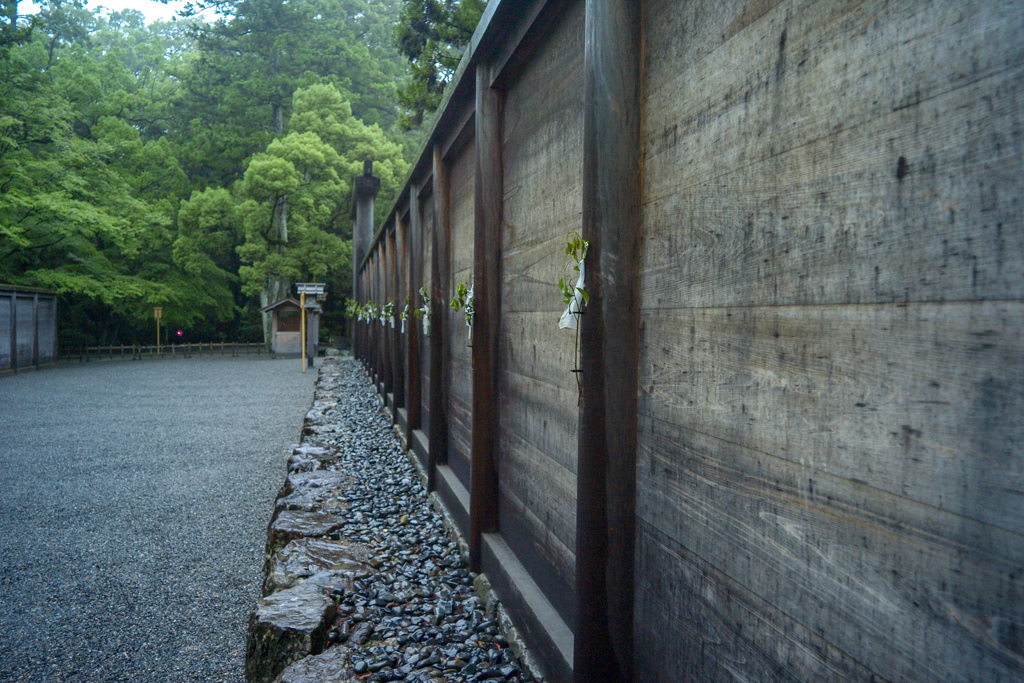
912,400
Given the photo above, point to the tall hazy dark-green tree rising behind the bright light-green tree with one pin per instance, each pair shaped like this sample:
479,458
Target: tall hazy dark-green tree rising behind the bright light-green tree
240,82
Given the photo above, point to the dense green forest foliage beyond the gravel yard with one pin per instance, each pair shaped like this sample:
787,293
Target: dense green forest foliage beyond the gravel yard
203,165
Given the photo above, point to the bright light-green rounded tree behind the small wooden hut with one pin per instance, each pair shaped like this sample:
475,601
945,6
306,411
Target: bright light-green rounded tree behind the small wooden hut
294,198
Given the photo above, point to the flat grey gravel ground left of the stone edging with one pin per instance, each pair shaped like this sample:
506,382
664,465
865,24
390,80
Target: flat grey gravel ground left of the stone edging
135,499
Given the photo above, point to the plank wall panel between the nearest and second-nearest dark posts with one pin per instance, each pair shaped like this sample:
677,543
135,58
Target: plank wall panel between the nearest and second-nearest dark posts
538,412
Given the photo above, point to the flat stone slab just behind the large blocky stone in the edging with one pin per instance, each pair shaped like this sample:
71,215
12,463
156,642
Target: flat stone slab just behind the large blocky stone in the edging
304,559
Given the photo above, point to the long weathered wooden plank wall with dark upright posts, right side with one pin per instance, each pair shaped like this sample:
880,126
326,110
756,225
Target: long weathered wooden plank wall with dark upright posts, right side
830,477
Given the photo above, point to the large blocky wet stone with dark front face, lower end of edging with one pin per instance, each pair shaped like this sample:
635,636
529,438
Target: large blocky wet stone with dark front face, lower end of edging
286,627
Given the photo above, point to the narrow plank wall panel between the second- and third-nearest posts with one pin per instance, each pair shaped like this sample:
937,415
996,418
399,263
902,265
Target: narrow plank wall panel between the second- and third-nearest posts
459,402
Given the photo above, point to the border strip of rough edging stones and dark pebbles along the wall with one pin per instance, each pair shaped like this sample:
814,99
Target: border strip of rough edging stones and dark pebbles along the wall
365,578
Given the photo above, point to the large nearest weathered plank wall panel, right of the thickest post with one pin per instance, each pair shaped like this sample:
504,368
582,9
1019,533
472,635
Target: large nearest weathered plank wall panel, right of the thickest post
832,323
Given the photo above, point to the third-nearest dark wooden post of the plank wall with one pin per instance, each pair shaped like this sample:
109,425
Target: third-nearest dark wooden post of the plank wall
439,289
